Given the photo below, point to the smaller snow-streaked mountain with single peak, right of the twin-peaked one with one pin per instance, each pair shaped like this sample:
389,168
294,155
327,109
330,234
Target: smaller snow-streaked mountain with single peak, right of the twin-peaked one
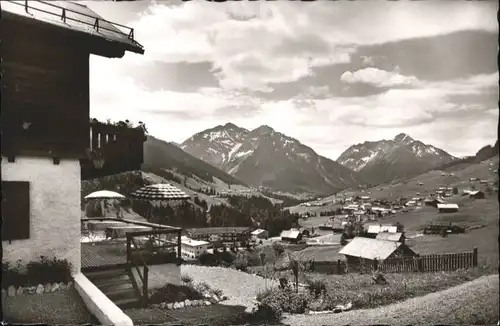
398,158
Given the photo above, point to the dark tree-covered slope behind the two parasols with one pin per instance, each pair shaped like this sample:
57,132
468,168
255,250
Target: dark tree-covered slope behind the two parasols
236,209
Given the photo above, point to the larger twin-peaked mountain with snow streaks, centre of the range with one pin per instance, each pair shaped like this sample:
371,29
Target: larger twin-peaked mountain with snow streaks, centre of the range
264,157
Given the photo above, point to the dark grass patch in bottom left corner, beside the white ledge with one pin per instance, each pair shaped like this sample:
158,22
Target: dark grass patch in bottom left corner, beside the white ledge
65,307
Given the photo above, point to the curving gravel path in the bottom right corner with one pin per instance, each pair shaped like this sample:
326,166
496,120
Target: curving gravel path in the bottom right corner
475,302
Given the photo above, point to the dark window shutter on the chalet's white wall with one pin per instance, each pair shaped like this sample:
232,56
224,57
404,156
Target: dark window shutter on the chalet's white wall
15,210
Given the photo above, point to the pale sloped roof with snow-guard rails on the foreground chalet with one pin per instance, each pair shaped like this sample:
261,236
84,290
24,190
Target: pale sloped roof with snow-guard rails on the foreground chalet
79,18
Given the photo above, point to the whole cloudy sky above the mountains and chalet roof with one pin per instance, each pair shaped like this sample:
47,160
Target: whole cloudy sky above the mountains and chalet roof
330,74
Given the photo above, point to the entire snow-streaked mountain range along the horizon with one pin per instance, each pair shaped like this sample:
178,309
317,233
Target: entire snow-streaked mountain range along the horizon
263,157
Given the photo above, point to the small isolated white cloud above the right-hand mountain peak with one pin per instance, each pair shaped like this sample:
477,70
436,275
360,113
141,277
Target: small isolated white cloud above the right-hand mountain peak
377,77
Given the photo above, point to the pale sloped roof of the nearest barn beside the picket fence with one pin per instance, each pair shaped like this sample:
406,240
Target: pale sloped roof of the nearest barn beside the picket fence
370,248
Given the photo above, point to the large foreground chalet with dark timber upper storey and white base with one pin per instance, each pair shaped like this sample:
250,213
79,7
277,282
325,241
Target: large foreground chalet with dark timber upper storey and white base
45,122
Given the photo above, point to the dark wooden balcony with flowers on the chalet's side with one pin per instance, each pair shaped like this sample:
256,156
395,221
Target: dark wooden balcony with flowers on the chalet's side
112,149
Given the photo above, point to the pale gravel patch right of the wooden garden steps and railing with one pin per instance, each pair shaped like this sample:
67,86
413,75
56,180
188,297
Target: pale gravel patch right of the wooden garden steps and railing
240,287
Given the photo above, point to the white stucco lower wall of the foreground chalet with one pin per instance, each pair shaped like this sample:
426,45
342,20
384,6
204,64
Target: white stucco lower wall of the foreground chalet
54,209
